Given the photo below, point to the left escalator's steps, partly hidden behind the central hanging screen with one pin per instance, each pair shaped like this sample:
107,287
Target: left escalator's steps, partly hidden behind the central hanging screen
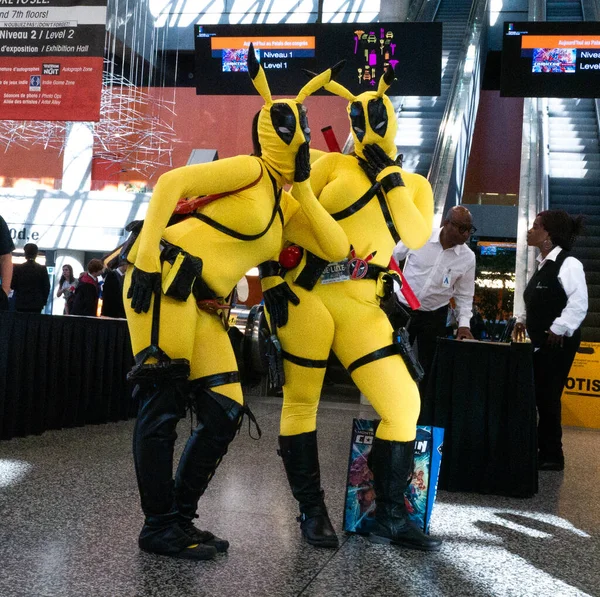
419,118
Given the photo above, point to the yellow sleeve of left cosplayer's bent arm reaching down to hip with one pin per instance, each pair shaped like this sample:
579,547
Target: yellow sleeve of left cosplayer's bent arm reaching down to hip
190,181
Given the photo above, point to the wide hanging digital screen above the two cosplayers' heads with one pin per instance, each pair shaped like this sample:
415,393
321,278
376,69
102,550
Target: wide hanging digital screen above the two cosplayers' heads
413,49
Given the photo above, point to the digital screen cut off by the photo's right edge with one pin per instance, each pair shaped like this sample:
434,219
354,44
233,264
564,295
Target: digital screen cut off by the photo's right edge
557,59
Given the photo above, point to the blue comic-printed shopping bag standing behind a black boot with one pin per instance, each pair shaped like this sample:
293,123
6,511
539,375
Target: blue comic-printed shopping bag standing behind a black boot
359,511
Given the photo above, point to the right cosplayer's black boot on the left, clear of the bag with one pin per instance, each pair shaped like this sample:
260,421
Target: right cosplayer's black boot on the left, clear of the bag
301,461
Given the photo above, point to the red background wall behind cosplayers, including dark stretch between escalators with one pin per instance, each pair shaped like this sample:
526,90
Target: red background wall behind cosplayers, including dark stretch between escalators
224,122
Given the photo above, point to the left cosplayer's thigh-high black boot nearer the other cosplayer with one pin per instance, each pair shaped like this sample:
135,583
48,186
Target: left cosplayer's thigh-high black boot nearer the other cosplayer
219,418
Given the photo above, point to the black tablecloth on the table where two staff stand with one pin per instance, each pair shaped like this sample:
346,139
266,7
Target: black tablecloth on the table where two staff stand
483,395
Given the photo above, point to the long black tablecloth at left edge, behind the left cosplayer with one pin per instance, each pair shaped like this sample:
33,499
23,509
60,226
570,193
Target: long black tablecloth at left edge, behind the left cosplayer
62,371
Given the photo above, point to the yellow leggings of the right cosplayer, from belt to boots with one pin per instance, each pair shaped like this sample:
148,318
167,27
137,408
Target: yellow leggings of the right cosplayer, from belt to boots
345,316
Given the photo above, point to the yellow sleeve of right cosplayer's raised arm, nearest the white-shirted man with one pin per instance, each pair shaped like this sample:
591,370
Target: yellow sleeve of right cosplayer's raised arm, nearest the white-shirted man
411,207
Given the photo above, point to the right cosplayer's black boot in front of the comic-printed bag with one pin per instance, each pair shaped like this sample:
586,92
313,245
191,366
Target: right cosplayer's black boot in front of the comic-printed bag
391,464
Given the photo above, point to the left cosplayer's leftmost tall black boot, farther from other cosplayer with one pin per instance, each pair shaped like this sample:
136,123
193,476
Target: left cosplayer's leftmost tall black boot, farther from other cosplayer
161,407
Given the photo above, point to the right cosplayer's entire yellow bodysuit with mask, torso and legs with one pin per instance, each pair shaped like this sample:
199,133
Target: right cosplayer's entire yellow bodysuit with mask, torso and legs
345,315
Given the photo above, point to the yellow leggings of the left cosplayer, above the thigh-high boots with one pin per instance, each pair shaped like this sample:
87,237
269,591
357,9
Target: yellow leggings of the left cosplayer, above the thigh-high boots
186,332
